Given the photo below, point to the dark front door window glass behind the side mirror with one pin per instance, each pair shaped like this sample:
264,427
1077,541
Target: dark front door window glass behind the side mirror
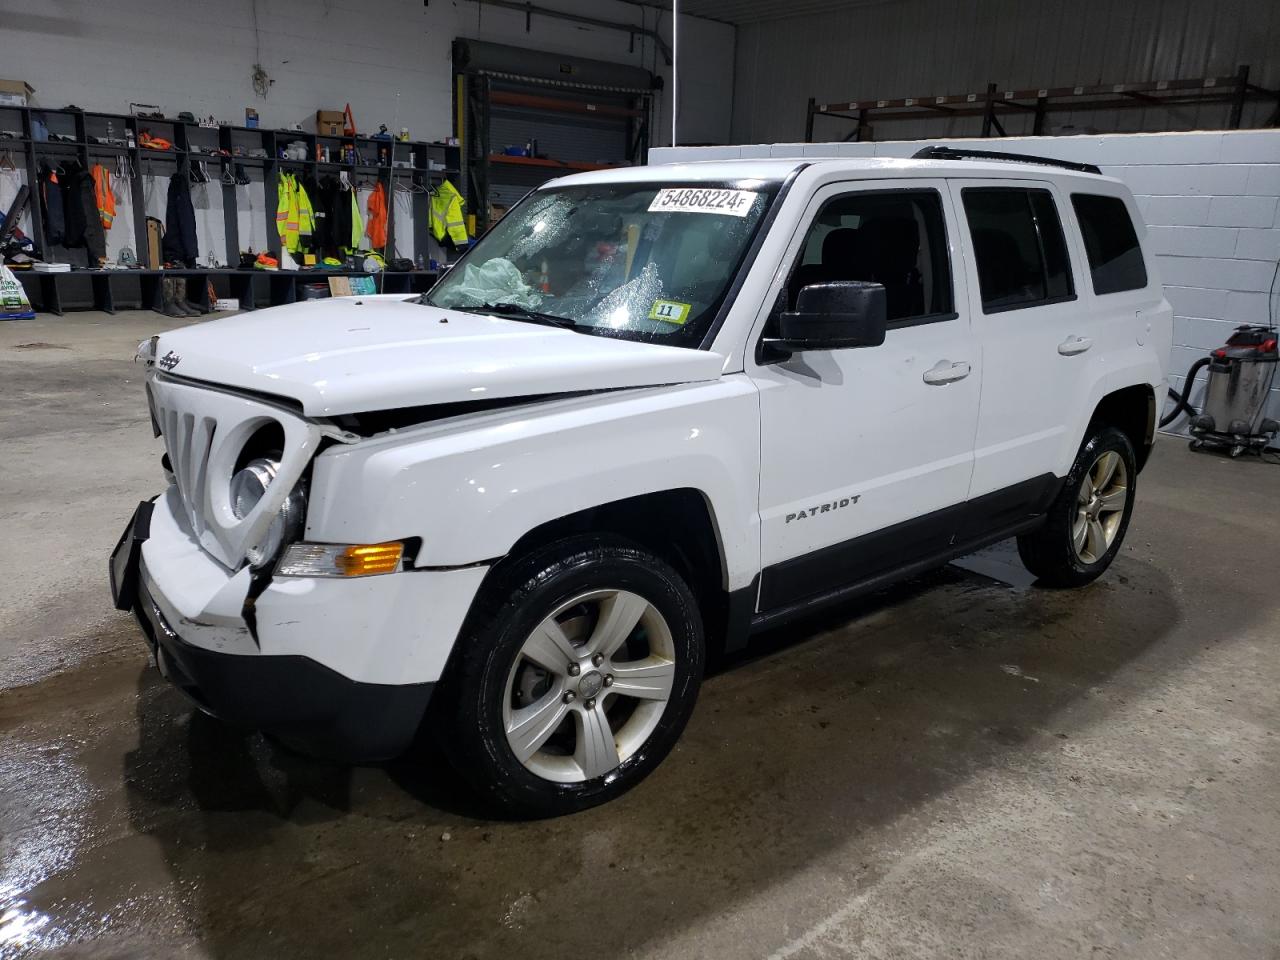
894,239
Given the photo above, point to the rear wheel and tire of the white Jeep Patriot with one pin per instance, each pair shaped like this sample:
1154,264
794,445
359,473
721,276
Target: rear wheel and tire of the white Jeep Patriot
1087,522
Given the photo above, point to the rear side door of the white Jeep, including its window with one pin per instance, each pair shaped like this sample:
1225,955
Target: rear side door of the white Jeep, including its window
1036,339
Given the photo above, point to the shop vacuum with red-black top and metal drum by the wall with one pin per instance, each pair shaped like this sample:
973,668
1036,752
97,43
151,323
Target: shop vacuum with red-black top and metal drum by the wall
1241,376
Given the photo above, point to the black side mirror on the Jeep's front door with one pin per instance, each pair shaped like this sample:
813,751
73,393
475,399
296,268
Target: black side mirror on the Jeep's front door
835,317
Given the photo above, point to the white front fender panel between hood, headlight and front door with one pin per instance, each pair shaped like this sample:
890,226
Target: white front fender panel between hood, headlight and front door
473,486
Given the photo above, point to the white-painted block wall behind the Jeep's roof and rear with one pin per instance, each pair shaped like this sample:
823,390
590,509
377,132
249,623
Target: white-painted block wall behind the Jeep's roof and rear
1212,202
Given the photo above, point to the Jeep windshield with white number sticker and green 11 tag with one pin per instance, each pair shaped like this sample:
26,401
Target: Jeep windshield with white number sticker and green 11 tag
638,260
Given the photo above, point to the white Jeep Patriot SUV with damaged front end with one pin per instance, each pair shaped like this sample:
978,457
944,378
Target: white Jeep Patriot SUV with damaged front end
651,412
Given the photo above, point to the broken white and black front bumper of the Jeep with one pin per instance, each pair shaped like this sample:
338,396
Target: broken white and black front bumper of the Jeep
339,669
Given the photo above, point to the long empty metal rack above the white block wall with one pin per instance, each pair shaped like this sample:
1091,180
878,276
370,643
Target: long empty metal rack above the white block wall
994,104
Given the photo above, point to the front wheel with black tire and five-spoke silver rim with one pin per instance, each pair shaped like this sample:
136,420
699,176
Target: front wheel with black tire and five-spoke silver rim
574,678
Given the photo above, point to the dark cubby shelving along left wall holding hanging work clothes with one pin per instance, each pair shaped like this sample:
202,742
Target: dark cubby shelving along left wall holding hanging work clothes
422,163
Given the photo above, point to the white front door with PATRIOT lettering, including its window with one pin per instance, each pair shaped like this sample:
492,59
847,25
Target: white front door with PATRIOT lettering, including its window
867,454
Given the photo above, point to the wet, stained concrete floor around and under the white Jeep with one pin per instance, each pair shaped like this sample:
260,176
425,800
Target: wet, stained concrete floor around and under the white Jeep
961,767
